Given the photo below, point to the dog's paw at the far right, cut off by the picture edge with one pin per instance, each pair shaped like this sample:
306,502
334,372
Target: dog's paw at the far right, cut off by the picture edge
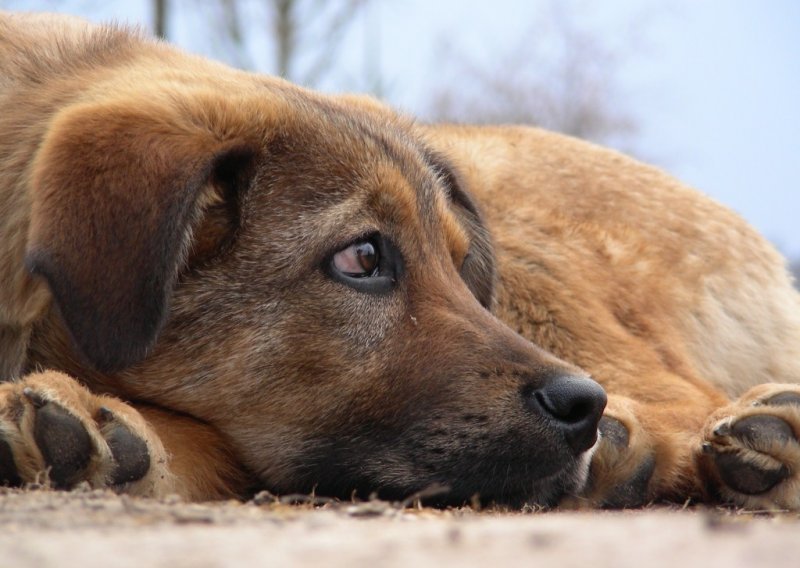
751,449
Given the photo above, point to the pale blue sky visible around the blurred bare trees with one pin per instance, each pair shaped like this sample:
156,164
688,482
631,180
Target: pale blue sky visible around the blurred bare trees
714,85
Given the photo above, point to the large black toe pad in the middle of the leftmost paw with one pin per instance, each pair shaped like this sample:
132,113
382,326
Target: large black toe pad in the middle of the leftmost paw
64,443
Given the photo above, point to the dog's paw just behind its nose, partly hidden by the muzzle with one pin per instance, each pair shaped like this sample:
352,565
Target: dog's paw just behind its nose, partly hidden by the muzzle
623,463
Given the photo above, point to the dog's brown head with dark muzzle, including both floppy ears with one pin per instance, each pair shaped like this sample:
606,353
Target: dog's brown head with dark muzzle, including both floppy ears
307,276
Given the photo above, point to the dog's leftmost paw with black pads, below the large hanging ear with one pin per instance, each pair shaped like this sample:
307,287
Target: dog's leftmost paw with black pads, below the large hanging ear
54,431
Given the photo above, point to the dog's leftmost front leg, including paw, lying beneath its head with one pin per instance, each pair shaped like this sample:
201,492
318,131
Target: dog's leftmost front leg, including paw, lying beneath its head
53,430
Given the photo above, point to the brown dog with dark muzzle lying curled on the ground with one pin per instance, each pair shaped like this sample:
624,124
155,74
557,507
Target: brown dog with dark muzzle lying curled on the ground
236,282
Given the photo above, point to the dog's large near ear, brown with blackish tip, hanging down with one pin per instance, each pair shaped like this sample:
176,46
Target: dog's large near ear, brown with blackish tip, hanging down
114,193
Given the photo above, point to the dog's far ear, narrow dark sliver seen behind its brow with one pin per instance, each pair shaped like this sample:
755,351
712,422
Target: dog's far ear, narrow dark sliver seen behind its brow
478,269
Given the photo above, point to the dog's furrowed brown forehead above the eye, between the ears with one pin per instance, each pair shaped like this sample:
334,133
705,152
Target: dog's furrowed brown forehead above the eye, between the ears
333,173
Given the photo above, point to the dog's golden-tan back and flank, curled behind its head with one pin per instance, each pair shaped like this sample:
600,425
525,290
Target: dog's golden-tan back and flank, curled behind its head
612,236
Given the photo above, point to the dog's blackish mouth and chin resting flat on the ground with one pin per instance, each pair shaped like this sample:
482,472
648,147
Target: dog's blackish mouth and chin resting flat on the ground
510,479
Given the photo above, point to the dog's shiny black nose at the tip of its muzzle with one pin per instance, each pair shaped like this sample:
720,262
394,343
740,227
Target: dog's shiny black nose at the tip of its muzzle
576,404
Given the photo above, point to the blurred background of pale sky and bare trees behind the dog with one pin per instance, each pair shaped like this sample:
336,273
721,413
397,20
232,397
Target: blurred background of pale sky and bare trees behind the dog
706,89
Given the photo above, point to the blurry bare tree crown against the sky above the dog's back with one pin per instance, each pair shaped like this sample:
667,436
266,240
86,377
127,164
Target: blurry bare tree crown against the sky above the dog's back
560,76
